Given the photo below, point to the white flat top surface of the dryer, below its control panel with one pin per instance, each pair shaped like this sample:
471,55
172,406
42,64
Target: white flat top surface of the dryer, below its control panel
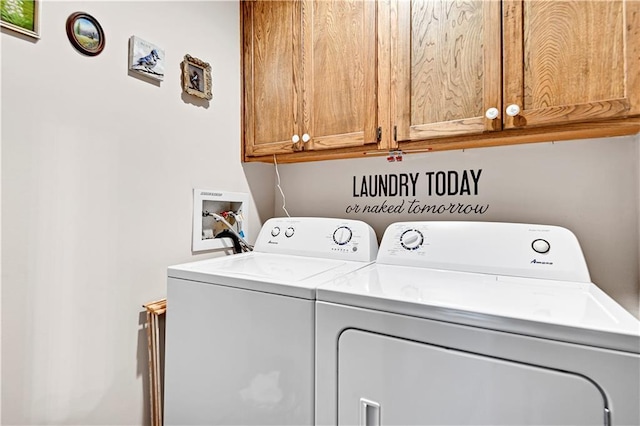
560,310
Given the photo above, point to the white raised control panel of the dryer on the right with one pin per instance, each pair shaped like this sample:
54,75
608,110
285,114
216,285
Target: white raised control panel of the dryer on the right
514,249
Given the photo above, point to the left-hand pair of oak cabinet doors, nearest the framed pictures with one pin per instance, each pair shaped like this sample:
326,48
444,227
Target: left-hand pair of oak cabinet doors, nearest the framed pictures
309,76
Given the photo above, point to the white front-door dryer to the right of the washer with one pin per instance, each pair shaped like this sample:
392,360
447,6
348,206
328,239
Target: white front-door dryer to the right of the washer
472,323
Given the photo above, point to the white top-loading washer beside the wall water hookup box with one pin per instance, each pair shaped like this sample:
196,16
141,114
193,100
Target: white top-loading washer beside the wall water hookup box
240,329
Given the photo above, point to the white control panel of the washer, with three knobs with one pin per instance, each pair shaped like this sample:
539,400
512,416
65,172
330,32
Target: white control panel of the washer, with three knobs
318,237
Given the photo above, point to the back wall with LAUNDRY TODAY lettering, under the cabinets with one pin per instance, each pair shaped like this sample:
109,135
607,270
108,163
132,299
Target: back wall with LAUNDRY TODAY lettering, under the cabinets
589,186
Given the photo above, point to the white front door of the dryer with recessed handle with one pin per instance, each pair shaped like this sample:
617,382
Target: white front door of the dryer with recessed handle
389,381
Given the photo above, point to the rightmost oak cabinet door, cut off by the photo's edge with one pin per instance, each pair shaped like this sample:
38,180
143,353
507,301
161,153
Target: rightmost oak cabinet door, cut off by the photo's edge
570,61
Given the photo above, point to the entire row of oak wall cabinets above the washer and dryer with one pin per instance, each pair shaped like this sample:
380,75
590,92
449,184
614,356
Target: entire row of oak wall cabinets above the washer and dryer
328,79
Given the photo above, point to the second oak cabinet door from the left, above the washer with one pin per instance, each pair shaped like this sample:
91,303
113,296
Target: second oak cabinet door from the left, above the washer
339,73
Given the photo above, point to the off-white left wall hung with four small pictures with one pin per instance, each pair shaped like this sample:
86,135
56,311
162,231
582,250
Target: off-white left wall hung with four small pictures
97,175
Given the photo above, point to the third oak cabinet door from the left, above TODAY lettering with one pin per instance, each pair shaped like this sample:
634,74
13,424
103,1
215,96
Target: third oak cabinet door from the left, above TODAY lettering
448,56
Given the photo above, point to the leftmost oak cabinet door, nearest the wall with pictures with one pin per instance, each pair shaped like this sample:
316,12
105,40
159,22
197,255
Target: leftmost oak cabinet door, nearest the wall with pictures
272,81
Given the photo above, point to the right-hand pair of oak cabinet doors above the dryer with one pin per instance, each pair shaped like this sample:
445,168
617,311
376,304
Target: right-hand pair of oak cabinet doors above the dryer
466,68
